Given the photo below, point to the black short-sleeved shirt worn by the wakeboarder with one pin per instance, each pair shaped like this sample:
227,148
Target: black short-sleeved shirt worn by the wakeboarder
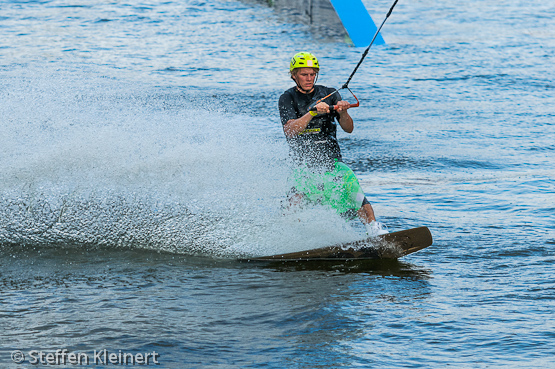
317,145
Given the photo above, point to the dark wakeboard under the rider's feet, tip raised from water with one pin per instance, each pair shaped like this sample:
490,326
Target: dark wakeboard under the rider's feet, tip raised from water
388,246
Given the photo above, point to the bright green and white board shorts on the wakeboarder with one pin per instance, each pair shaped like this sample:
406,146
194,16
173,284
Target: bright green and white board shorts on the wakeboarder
338,188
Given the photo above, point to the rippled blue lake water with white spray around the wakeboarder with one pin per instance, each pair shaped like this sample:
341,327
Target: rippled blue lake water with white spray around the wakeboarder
142,155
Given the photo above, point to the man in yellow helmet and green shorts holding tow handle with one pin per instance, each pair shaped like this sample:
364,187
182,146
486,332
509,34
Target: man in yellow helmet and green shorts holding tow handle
320,176
